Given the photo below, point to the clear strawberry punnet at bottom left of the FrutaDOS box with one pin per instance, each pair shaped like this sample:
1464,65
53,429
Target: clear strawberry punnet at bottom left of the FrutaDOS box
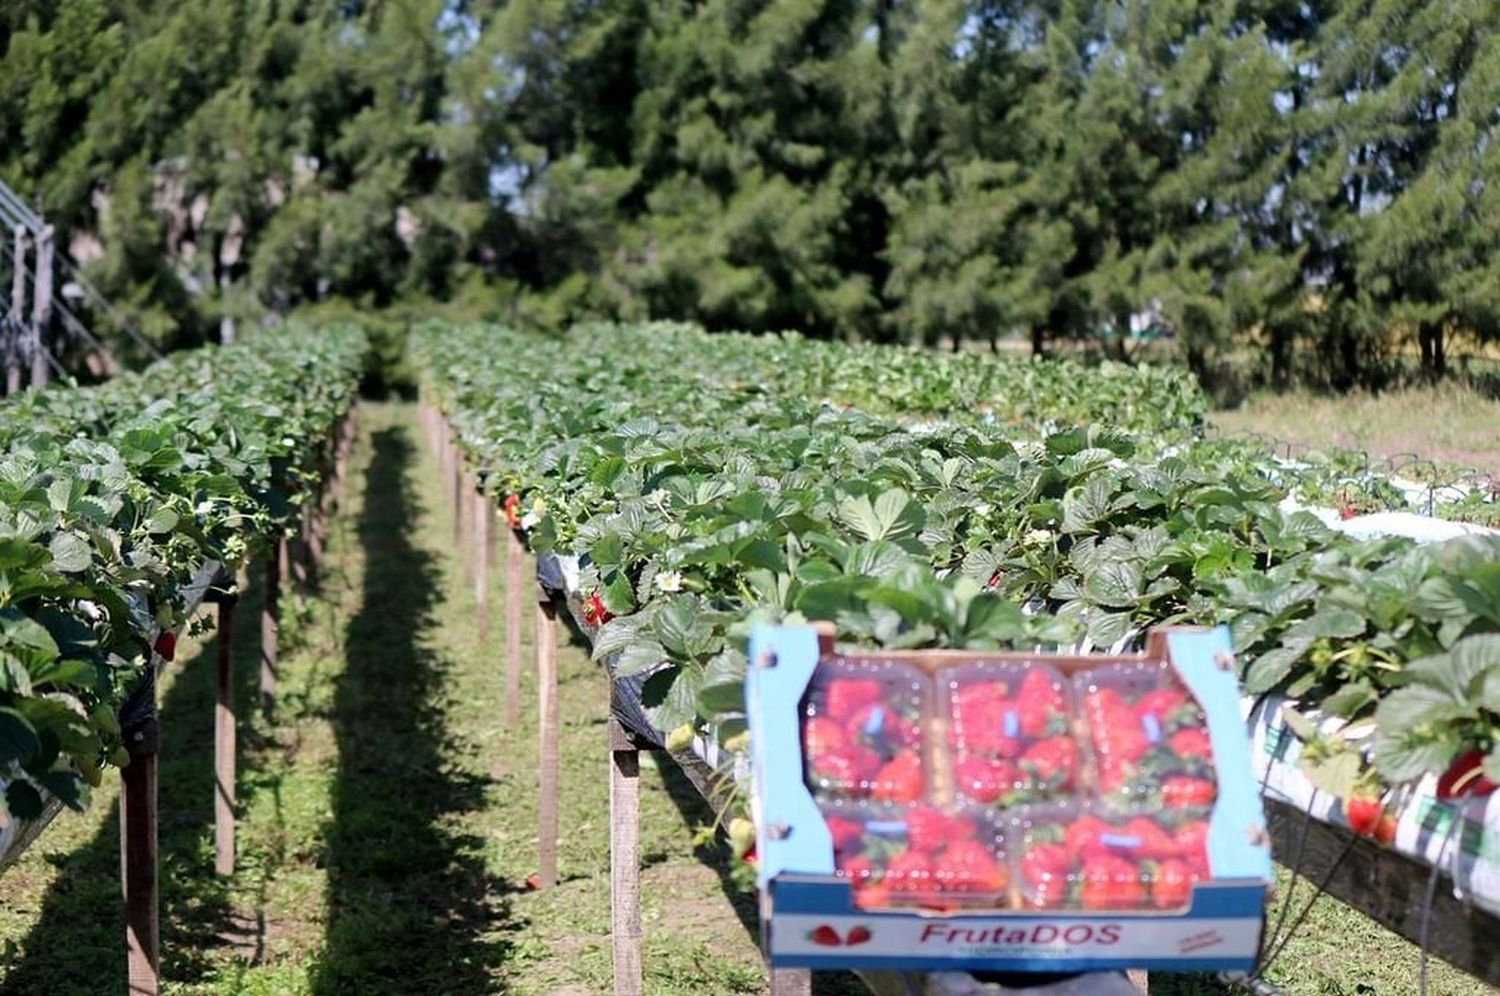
919,857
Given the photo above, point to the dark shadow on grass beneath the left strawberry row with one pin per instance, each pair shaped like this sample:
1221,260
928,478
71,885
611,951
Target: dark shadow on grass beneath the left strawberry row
79,941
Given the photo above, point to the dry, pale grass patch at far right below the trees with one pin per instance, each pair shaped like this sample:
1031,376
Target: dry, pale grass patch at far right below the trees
1448,422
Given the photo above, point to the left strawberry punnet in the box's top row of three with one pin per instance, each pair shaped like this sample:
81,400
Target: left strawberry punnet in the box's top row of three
863,733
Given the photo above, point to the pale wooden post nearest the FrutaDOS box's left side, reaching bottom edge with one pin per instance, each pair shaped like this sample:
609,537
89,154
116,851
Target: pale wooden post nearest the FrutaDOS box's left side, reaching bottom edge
625,860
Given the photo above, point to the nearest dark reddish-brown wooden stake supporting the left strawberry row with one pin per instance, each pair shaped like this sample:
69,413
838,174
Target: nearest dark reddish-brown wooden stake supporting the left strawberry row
139,875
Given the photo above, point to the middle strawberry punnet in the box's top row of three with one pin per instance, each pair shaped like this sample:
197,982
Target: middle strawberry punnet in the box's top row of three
1010,736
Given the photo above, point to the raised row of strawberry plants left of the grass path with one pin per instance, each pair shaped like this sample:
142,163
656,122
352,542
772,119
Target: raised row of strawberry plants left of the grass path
110,500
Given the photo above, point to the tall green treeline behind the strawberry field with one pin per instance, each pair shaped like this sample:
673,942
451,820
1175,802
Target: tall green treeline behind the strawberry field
1313,185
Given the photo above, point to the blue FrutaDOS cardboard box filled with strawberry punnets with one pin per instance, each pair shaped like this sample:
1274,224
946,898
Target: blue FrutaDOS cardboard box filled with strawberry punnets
1006,812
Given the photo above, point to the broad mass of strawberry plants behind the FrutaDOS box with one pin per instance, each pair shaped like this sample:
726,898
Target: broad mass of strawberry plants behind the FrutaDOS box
709,493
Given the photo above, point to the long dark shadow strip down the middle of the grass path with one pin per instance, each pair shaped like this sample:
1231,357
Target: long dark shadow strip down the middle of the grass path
410,904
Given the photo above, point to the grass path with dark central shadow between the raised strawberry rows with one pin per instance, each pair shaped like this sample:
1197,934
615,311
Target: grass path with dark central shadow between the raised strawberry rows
388,817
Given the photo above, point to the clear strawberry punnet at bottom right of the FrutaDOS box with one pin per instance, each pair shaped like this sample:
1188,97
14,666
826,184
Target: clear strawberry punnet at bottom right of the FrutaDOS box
1072,859
